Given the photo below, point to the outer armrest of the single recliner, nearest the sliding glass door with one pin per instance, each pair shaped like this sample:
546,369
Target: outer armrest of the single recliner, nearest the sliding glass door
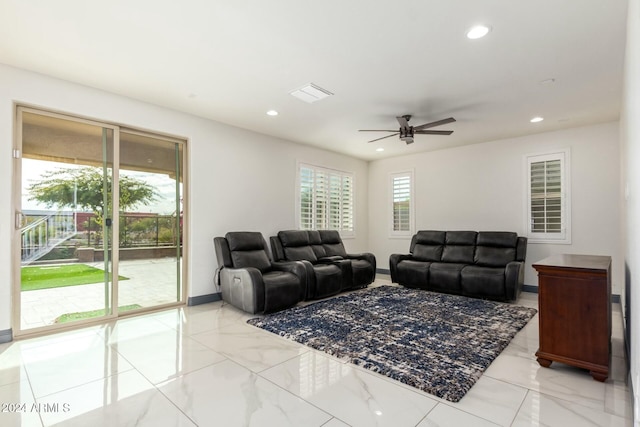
243,288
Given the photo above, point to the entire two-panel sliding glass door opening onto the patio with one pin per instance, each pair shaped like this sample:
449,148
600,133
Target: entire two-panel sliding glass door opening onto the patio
98,221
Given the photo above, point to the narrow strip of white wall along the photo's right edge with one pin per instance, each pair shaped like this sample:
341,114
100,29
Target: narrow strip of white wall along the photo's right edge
630,161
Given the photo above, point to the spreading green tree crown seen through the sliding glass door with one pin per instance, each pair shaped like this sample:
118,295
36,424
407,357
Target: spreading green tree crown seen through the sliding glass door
84,188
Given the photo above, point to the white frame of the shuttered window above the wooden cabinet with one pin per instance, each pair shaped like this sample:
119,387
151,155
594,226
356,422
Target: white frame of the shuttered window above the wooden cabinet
564,236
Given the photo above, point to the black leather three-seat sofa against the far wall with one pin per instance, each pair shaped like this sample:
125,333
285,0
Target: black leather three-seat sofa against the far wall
485,264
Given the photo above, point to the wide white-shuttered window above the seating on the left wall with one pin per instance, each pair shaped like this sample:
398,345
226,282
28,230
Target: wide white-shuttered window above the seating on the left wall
326,199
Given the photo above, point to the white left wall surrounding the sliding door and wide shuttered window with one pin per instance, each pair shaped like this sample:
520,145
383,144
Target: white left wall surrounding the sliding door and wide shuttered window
240,180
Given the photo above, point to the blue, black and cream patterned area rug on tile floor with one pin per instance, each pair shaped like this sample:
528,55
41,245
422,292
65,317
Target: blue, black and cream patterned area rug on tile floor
438,343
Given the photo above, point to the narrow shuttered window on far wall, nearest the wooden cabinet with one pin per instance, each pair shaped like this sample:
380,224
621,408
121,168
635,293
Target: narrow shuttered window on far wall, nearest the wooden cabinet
548,198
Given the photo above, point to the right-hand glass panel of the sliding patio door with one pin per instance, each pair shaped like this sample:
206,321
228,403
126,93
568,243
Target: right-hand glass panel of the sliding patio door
150,227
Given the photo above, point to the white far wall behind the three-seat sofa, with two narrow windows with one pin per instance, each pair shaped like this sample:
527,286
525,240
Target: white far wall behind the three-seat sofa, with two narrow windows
482,187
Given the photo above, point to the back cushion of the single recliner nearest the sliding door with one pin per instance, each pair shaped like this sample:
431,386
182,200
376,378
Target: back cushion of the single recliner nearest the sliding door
248,249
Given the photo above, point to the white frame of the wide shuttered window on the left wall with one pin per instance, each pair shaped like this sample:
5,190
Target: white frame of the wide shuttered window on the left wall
326,224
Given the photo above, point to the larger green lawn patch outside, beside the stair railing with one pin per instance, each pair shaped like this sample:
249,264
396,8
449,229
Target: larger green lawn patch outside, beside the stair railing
50,276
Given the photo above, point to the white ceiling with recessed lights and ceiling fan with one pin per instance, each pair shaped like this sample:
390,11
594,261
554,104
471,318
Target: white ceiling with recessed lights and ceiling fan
231,61
